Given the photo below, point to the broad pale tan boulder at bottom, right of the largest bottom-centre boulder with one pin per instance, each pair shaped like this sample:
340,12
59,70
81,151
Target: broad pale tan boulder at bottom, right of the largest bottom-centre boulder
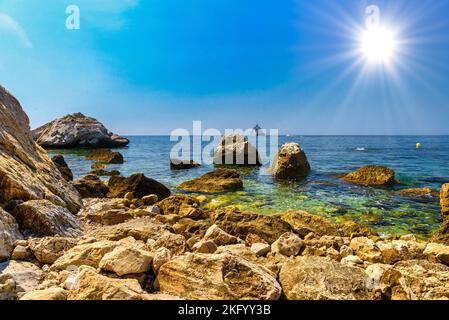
319,278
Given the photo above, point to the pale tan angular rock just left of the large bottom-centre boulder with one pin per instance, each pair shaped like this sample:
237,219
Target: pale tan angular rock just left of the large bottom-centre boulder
125,260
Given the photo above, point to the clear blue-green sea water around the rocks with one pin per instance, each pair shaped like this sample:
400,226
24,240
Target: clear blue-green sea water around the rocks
385,210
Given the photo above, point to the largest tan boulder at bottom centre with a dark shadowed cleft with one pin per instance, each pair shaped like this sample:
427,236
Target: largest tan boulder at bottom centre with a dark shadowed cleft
221,276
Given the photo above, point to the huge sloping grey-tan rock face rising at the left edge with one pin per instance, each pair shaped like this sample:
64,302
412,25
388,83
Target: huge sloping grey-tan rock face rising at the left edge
26,171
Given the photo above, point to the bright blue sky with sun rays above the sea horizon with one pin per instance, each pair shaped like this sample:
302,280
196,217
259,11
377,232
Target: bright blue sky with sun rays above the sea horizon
151,66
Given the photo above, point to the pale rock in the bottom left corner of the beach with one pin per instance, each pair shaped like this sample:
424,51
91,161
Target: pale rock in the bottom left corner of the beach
18,278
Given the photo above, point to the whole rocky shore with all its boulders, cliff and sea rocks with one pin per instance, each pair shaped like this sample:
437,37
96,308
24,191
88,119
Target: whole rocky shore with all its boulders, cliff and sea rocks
108,236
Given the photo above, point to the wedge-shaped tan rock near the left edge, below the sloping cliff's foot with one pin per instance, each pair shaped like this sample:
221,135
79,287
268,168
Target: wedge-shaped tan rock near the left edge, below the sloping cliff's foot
49,249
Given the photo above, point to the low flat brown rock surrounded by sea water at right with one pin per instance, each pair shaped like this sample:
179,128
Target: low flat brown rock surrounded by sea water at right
372,176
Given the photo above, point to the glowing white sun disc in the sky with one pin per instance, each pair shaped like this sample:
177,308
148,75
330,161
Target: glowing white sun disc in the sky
378,44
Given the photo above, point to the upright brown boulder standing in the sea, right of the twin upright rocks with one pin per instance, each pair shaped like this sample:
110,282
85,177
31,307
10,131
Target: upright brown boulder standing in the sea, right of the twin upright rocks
290,163
